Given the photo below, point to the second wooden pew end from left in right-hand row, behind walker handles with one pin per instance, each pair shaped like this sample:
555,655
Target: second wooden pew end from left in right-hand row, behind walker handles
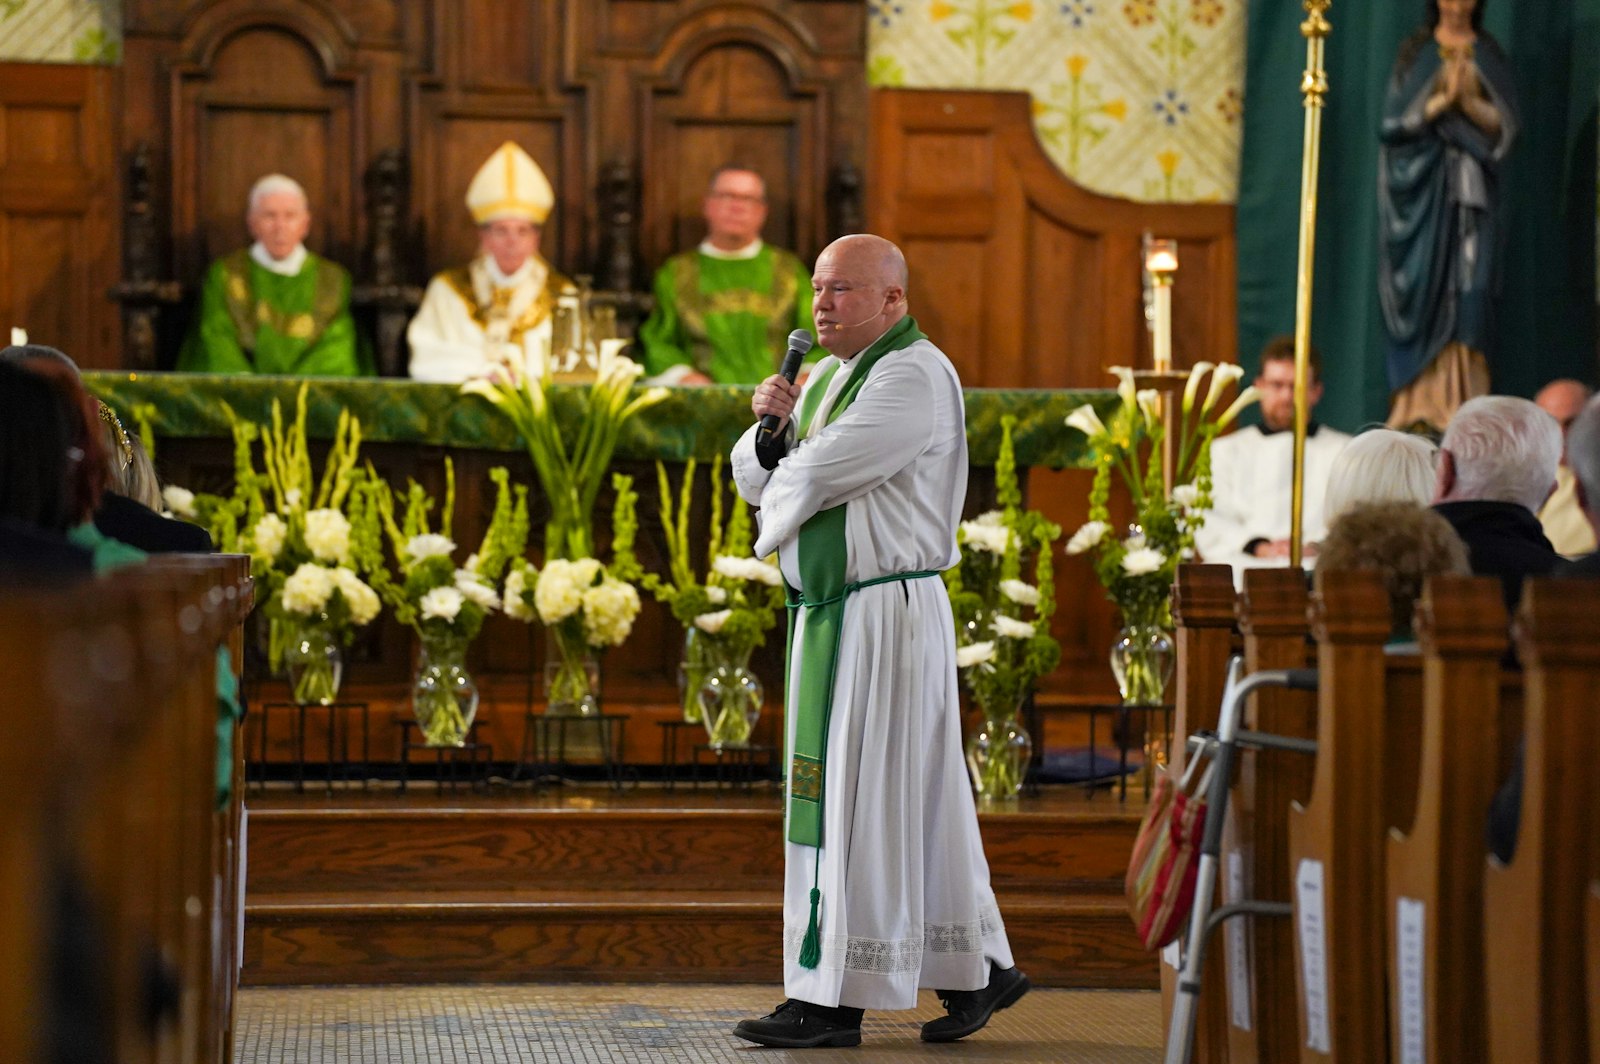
1273,615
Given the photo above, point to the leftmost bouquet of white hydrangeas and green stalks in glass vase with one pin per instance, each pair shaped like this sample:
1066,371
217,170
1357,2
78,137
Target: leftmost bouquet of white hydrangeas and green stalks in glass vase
298,535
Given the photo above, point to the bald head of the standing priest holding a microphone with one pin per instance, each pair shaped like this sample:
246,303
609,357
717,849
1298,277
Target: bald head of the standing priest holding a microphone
858,292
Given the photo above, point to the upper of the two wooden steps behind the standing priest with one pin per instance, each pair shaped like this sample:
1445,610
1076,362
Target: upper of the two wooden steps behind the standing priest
348,846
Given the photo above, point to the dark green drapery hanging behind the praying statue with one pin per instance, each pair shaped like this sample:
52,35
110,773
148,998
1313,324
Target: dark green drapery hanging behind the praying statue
1546,318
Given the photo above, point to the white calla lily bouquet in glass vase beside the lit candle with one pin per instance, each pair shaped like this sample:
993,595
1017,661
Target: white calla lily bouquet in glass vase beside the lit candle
1137,567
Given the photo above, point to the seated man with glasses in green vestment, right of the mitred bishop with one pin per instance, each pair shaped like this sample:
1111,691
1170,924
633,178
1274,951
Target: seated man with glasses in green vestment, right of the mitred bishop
726,310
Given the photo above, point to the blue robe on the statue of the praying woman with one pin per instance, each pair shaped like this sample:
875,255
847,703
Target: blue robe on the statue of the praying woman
1438,202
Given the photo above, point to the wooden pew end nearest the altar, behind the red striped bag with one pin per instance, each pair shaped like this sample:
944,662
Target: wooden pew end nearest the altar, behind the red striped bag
1204,610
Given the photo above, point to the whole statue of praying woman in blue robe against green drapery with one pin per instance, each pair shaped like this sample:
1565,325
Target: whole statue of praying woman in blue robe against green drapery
1450,118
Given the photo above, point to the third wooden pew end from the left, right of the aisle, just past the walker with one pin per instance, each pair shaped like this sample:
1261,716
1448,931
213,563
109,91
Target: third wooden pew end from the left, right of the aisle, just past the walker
1335,838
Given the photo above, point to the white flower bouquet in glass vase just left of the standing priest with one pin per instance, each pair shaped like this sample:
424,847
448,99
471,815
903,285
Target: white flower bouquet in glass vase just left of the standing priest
726,614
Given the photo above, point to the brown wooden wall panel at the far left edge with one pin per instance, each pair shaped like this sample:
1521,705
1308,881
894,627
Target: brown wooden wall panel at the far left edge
58,218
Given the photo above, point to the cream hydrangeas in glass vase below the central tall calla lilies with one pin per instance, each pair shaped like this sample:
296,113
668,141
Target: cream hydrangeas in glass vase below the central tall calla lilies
585,609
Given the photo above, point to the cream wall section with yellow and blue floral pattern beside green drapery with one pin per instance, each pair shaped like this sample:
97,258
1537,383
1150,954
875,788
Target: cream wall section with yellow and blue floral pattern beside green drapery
1132,98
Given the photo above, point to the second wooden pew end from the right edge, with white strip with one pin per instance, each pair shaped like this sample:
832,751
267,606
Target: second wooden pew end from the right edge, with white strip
1434,866
